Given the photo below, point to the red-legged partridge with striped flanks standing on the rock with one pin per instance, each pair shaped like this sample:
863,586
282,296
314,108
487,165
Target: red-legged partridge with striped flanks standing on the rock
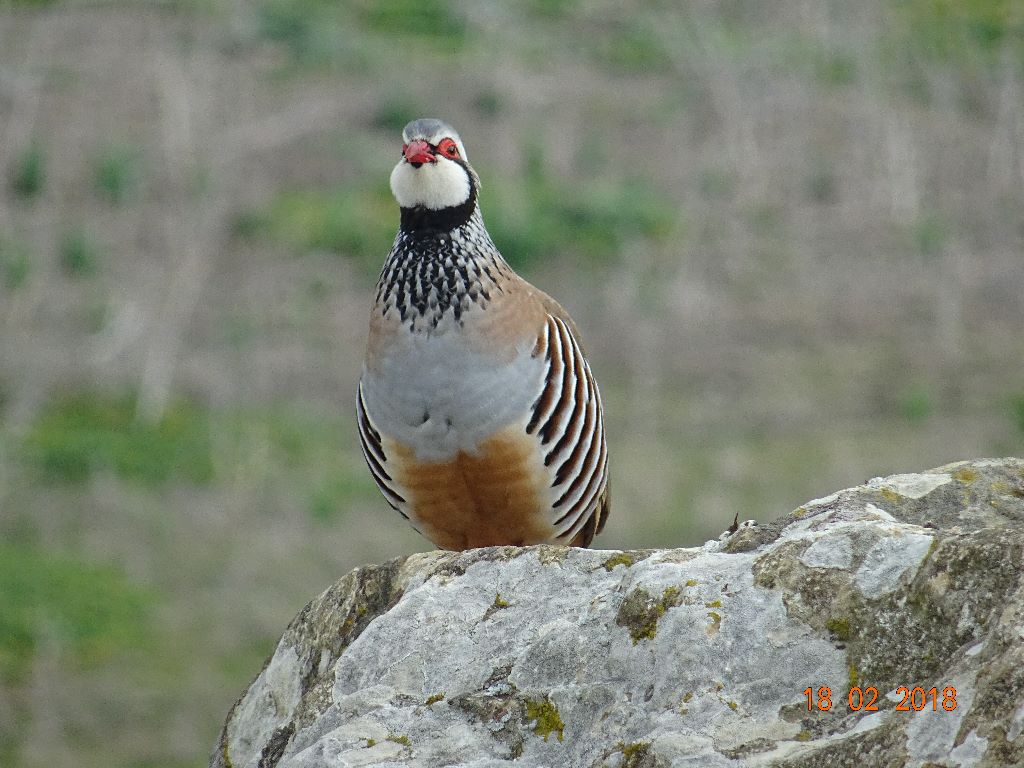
479,414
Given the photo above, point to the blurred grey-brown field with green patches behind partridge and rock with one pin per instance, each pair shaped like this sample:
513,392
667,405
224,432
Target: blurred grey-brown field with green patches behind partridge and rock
792,233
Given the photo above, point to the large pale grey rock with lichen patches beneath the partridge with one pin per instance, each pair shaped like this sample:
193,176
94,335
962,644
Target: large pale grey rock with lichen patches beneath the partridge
675,658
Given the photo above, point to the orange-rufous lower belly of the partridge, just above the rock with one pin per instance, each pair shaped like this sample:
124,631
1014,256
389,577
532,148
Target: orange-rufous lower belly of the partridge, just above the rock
494,496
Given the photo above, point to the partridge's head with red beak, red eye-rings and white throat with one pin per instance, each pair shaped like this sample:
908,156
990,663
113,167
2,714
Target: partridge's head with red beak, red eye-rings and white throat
434,173
